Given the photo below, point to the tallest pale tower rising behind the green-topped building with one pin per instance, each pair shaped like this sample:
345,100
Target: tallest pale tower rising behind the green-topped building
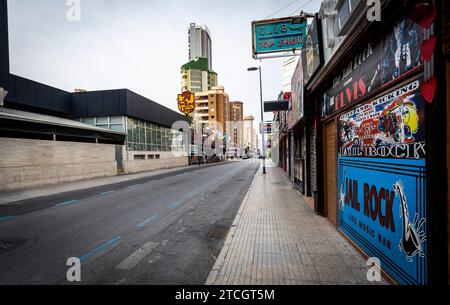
200,44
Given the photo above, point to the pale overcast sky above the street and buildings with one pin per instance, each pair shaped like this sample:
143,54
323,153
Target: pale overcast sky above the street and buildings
141,44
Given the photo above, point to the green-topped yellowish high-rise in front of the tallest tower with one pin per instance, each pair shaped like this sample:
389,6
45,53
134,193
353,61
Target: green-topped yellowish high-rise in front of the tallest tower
196,77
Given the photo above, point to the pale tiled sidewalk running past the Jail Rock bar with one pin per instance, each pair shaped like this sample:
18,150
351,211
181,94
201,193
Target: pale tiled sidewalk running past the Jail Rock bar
276,239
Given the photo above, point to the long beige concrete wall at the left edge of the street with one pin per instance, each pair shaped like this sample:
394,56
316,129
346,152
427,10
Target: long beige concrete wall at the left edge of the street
32,163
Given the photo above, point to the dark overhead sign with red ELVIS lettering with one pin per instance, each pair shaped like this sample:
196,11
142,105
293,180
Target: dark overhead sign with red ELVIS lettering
374,67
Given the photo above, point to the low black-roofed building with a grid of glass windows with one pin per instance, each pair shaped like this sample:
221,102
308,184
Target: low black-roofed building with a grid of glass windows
148,125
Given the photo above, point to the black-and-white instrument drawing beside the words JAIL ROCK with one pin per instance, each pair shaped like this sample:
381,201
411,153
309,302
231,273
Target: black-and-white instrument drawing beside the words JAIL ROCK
413,235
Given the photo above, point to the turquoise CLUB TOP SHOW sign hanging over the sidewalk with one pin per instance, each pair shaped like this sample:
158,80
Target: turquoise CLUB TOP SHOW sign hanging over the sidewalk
278,35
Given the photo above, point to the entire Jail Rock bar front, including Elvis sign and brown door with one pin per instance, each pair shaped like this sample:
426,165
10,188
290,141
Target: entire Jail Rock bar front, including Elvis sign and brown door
374,136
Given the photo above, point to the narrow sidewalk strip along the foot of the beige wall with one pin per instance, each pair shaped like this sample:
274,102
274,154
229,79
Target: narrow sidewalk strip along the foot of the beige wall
16,196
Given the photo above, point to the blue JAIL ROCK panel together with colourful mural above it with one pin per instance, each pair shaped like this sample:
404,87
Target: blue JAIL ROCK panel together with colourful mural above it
382,181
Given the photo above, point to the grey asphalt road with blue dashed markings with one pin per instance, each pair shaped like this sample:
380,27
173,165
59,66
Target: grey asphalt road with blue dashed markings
165,230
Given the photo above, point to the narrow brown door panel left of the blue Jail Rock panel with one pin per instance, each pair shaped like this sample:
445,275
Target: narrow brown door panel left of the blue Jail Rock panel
330,171
